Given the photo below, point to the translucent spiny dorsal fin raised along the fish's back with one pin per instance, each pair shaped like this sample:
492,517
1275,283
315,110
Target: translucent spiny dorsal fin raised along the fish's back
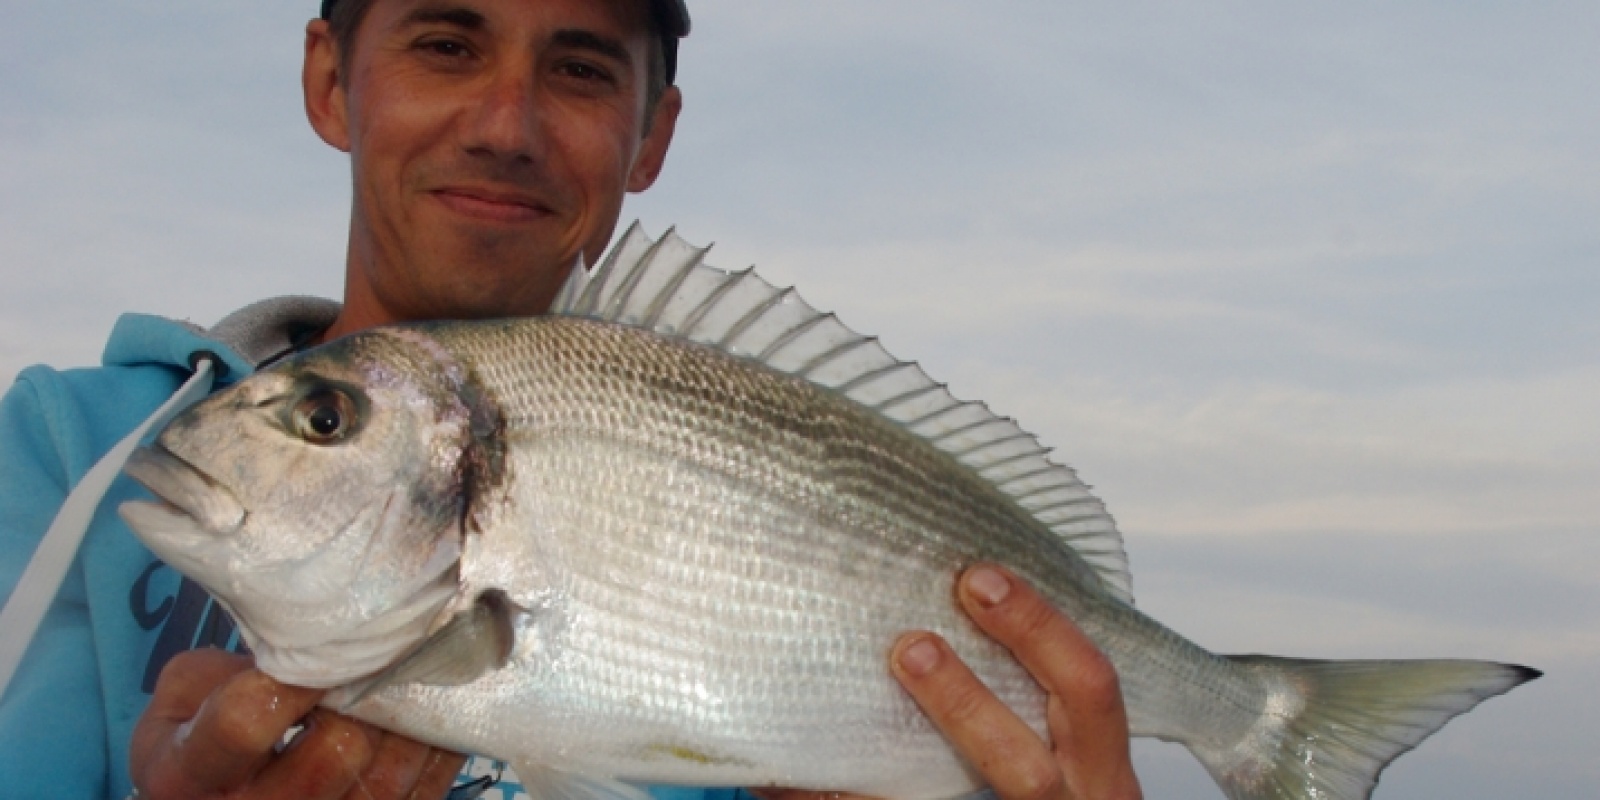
666,287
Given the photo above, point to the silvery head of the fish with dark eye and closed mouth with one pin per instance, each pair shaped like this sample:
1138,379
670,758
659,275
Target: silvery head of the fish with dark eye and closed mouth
324,502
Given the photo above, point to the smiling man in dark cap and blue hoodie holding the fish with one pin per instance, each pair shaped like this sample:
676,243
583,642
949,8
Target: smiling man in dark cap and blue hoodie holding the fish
492,143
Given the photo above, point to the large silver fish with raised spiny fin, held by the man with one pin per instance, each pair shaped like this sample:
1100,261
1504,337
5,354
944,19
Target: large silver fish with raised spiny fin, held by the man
670,534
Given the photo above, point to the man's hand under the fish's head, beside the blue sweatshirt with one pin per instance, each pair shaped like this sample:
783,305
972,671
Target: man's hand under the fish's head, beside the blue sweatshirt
215,722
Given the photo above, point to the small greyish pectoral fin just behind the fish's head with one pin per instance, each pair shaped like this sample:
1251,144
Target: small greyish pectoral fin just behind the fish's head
471,646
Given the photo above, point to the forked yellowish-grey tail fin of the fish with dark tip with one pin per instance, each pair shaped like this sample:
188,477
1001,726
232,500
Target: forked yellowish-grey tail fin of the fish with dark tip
1334,726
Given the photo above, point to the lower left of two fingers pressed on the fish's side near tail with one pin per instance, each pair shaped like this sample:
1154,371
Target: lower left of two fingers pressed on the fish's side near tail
1004,750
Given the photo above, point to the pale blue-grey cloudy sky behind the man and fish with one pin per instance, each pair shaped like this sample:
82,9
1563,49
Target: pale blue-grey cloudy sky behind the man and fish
1308,294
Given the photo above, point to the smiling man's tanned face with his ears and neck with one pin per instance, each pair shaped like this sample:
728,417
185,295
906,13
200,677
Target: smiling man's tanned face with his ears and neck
492,143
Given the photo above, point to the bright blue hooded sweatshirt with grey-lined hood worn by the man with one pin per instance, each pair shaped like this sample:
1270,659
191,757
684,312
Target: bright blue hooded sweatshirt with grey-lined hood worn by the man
122,615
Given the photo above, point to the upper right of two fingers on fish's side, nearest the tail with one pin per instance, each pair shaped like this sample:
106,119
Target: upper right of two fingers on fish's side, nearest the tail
1087,716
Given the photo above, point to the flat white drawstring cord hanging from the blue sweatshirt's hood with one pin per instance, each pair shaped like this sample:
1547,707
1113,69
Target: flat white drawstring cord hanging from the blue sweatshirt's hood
36,591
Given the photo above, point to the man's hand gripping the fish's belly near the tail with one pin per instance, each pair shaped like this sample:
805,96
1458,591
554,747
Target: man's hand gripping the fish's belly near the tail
1087,756
